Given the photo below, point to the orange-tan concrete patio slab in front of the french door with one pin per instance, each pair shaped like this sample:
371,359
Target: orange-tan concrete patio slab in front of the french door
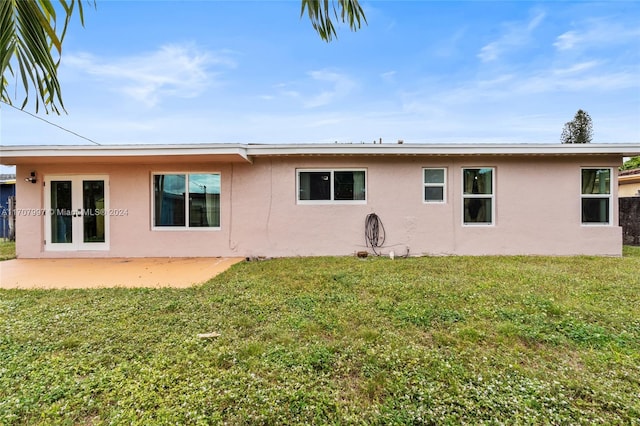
96,273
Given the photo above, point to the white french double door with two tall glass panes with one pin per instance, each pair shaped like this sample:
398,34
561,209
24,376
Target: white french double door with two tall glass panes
76,215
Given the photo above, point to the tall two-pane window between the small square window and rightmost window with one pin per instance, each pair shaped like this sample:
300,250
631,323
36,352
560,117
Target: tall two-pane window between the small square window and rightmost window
478,196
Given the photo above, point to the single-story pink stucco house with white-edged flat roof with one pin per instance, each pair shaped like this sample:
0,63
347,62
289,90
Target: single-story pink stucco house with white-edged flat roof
314,199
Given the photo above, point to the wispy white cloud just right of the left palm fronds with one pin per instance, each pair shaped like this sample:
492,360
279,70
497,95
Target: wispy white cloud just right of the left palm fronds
171,71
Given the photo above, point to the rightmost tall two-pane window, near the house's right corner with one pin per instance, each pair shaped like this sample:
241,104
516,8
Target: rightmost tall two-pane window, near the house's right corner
596,196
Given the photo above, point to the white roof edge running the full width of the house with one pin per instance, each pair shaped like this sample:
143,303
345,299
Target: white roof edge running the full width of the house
243,152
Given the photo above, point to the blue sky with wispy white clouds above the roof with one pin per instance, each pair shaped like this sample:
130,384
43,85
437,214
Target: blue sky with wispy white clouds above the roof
421,71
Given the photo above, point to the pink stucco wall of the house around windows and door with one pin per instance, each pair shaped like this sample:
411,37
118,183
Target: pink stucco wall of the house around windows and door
537,209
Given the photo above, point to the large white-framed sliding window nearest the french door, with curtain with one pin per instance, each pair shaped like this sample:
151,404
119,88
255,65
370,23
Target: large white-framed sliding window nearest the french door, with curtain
186,200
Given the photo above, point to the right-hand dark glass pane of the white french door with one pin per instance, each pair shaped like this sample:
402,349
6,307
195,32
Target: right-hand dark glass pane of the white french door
93,211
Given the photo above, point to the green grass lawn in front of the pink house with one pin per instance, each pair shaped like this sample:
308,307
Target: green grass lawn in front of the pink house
335,340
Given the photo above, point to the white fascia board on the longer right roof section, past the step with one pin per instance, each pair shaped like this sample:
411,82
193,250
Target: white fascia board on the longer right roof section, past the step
626,150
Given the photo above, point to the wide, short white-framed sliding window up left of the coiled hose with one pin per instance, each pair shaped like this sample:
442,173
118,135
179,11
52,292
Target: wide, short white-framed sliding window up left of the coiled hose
331,186
